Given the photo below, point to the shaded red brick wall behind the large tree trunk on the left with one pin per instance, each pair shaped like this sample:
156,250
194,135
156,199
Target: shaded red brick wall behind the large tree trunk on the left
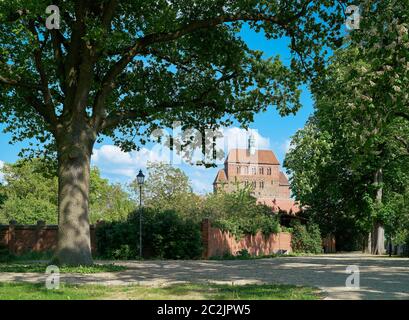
40,237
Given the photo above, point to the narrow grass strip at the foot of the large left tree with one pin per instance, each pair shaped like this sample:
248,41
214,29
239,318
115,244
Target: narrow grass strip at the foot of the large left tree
41,267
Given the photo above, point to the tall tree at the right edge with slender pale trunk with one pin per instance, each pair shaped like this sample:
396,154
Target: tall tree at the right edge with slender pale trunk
383,45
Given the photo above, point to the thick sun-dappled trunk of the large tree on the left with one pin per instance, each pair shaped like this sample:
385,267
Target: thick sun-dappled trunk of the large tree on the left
74,156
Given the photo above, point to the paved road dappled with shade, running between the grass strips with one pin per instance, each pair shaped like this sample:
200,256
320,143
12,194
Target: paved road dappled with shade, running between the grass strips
380,278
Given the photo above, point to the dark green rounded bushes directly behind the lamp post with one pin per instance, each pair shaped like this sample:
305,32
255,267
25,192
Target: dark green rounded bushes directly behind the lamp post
165,235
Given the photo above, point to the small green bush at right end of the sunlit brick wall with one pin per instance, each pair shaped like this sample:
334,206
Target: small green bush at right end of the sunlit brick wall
306,238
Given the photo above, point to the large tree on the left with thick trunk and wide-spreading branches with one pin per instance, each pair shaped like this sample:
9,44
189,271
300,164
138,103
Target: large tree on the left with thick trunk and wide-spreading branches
123,68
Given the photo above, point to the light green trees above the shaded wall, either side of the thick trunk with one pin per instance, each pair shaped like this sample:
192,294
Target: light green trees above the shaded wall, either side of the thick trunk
30,194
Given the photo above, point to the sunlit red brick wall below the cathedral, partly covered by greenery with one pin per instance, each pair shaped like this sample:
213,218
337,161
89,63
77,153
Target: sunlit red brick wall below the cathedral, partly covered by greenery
217,242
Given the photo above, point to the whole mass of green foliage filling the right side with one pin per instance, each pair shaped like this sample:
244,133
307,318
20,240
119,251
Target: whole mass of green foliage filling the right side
360,127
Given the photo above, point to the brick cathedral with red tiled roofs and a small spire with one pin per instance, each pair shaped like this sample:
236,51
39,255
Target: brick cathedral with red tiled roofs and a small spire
259,169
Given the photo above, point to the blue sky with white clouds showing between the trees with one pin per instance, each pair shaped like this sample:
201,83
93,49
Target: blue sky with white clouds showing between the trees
272,132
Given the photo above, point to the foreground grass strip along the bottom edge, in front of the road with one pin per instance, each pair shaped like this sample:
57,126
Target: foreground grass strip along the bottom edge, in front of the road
24,291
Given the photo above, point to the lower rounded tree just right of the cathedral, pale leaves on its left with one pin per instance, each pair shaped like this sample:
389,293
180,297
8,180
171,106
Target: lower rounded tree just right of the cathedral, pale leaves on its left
332,194
